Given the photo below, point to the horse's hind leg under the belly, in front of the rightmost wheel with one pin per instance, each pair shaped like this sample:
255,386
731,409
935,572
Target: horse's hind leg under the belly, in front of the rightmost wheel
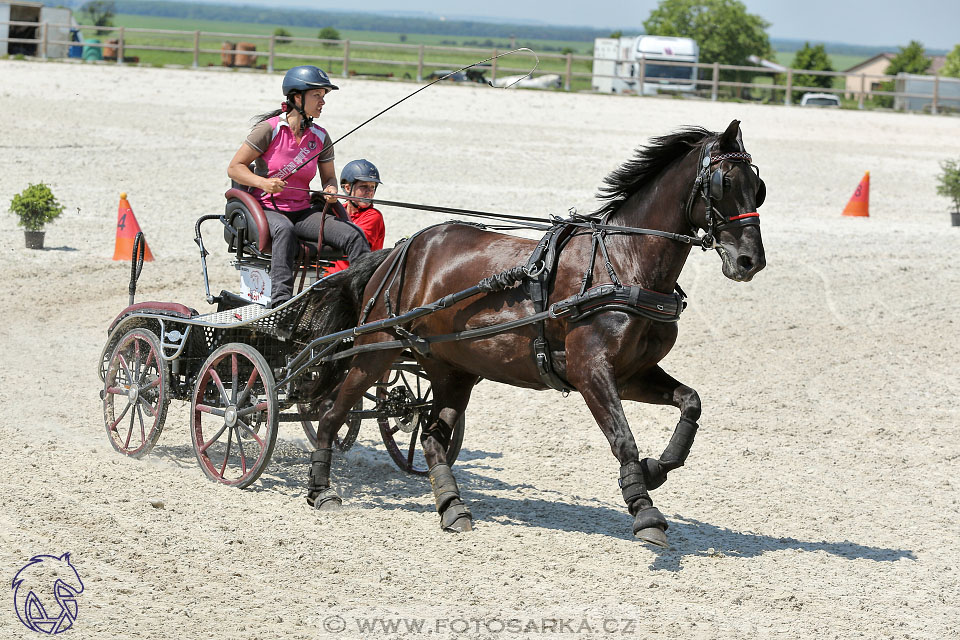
451,392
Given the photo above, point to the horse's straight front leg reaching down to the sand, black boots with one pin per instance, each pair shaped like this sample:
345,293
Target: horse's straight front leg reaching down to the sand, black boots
594,378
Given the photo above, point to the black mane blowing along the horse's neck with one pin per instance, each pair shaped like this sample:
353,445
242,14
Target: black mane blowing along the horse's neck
647,163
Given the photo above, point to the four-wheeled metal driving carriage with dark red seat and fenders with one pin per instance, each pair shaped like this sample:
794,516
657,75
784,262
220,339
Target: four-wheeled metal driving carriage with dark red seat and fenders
245,367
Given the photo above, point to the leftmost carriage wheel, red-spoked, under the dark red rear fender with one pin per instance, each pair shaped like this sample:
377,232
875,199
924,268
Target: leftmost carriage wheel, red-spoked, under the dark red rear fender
138,380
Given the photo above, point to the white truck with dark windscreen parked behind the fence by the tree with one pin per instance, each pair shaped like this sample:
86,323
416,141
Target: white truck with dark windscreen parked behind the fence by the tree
622,65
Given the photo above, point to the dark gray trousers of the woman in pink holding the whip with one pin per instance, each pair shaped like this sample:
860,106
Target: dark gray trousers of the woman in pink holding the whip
288,227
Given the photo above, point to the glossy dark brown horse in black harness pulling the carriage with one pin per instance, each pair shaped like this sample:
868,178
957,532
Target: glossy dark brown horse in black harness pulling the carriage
681,183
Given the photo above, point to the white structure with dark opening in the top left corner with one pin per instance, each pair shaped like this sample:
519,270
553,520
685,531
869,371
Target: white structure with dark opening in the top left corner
58,19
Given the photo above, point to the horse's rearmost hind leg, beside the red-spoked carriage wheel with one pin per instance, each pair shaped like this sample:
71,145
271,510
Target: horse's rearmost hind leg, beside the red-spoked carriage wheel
365,370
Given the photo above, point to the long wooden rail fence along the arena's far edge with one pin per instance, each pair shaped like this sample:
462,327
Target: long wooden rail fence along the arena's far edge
417,62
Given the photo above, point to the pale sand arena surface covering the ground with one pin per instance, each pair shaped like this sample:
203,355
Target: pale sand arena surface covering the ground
820,499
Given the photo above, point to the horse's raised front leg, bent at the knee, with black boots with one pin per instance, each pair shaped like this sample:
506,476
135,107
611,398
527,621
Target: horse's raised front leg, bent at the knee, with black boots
656,386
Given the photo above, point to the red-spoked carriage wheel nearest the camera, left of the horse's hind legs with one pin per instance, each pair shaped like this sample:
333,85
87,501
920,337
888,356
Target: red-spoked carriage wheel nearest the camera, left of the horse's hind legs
233,417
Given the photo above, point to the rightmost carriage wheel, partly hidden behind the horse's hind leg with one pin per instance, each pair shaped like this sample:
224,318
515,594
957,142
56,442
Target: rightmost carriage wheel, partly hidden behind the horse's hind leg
401,435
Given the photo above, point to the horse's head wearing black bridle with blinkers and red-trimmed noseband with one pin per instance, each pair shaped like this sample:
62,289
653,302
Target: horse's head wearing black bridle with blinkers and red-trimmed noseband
730,192
